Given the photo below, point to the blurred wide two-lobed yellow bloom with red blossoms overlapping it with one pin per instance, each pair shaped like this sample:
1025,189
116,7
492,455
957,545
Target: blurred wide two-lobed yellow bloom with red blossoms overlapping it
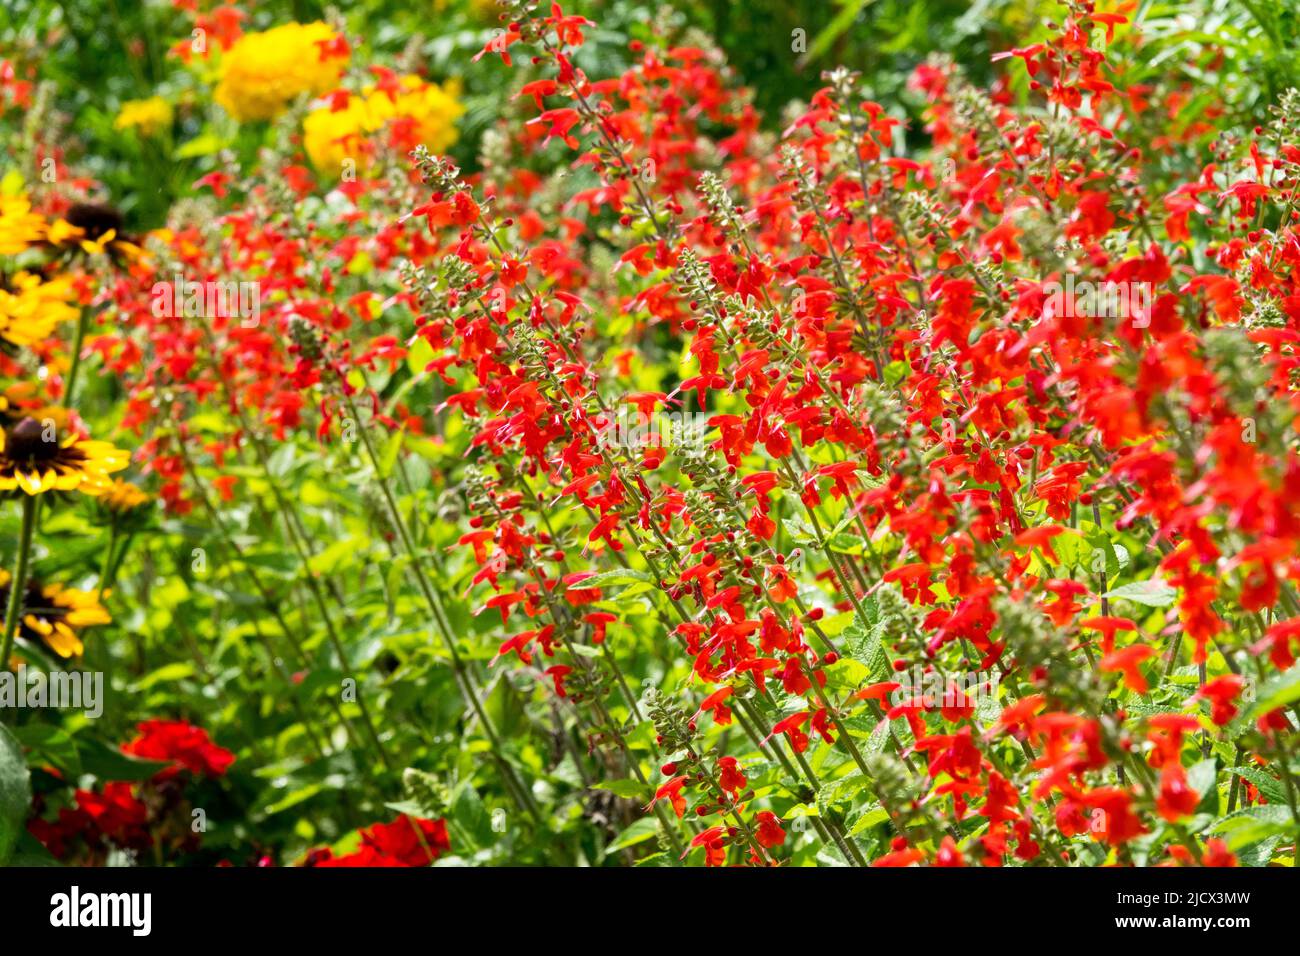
427,111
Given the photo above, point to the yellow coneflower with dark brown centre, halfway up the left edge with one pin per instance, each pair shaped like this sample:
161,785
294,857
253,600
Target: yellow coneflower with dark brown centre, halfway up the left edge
38,457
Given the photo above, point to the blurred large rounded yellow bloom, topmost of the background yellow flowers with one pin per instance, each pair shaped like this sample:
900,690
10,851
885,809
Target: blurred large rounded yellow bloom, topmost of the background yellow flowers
263,73
